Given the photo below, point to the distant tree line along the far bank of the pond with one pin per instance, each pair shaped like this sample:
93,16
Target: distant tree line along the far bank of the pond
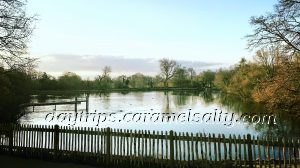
171,75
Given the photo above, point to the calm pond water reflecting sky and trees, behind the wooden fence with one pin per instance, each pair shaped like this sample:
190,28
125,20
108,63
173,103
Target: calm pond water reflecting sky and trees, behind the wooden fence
184,111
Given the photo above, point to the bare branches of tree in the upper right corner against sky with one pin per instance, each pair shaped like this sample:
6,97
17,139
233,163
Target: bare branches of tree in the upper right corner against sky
280,28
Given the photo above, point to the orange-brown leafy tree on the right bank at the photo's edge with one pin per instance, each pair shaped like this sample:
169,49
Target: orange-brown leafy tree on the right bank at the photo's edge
281,89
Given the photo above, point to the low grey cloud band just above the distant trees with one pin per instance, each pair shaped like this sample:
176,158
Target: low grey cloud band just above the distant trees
90,65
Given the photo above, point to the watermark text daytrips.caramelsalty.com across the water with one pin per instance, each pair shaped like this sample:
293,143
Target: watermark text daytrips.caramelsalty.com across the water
215,117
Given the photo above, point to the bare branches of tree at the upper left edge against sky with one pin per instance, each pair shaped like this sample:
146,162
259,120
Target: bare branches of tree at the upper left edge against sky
15,30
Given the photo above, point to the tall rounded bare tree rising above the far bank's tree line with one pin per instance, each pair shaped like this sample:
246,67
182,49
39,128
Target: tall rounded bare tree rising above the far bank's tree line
168,69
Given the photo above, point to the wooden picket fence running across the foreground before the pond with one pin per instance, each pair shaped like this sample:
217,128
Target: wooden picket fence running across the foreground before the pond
127,148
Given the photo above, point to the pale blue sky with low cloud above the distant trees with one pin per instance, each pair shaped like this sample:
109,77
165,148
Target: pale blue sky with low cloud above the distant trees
83,36
